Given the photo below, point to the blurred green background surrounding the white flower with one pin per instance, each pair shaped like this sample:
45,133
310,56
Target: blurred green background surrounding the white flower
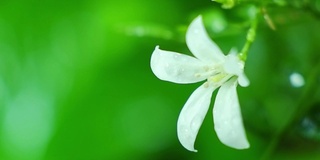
75,80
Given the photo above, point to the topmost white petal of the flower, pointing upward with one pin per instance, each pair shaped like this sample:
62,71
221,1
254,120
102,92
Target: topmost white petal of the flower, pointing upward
200,43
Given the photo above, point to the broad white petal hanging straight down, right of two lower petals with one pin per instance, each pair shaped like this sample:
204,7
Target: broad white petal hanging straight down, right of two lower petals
227,117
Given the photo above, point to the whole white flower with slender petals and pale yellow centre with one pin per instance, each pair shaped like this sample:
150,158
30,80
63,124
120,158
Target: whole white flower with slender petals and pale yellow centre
212,65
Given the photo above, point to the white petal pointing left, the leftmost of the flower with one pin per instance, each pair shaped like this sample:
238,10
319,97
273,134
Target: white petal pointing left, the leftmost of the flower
176,67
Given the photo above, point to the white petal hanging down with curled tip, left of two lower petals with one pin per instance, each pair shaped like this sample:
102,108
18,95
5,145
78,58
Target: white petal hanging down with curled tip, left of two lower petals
192,115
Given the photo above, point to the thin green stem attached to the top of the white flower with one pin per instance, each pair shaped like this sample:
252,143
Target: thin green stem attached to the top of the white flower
250,38
